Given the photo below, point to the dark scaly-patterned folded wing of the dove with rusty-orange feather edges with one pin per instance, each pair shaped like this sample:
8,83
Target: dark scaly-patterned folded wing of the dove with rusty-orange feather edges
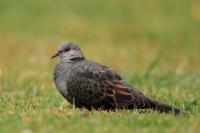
99,84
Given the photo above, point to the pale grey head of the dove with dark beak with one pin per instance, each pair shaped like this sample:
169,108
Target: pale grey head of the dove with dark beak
69,51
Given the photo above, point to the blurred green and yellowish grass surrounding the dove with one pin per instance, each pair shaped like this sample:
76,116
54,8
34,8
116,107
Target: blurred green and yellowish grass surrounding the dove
154,45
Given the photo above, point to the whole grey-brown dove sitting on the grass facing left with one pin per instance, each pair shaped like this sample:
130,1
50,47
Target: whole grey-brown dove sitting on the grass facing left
87,84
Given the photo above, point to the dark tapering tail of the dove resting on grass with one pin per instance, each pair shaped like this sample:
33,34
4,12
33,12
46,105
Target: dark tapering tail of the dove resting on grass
144,102
